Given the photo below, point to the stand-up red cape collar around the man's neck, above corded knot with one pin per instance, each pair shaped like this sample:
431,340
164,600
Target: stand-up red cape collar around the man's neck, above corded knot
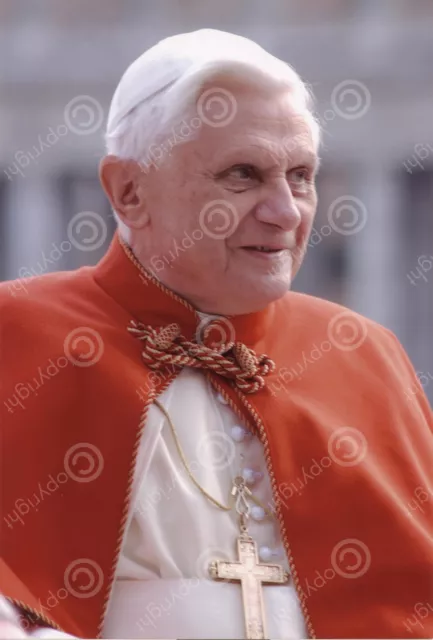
150,302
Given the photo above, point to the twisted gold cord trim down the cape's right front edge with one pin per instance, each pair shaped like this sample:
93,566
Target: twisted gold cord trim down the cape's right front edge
259,429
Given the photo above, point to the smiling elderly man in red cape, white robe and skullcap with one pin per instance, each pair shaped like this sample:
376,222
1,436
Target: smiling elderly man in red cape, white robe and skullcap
185,480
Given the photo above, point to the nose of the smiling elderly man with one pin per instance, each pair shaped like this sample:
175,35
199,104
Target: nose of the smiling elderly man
280,209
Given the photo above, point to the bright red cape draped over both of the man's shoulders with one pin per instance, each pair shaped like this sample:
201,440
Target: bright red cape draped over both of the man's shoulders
346,427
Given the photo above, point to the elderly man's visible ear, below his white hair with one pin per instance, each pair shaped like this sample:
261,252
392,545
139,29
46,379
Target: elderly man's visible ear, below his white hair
123,182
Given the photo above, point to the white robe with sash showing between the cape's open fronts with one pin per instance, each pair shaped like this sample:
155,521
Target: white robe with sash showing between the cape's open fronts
162,587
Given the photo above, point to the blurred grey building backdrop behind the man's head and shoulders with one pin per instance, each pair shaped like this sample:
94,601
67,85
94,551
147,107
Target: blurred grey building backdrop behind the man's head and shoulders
370,66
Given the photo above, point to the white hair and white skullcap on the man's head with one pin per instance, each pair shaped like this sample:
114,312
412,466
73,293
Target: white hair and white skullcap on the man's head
160,90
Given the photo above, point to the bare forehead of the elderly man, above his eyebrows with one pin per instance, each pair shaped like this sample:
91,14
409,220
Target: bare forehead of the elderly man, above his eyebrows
268,120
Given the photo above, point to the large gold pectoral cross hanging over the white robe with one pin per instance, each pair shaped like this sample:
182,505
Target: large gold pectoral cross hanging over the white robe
252,575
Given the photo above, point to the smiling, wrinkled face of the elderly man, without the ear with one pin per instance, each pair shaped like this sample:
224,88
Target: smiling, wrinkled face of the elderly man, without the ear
231,212
